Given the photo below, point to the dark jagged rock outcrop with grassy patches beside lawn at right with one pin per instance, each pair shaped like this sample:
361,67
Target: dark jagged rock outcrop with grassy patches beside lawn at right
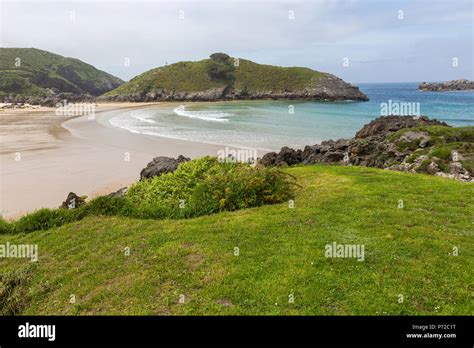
392,142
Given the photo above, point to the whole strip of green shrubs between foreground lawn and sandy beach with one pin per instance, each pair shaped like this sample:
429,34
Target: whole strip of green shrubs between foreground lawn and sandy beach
198,187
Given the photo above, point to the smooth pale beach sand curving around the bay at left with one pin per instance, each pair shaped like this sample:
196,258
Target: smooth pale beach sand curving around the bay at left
43,157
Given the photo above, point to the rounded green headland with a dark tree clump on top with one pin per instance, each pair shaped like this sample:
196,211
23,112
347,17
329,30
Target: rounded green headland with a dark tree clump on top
223,78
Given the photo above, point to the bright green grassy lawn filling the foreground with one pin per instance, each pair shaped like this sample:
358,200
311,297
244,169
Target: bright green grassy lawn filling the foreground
408,251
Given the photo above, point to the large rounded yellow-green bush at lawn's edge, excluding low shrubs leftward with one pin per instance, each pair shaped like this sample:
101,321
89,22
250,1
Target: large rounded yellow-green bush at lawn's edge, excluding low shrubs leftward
206,186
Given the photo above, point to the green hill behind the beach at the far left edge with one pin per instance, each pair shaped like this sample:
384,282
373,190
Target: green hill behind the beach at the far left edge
30,71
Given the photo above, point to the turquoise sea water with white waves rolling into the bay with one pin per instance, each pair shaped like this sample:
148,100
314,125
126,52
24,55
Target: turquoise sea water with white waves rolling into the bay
270,125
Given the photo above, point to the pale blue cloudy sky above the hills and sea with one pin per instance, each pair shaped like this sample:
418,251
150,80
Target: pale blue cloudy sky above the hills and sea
357,40
